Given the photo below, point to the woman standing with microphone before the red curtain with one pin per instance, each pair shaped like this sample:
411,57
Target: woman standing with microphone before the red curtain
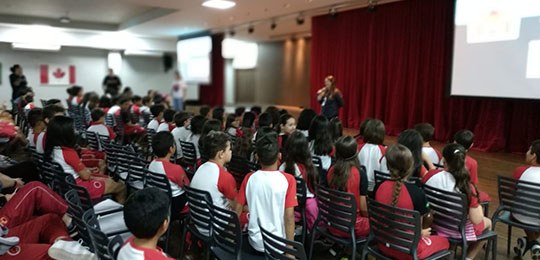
330,98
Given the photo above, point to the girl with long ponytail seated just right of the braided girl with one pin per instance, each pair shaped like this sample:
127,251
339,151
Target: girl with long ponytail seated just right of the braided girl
455,177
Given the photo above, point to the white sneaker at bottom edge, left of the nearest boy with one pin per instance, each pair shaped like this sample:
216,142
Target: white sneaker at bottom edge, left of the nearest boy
67,250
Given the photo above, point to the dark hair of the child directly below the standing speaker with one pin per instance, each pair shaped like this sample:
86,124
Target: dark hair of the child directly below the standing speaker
320,135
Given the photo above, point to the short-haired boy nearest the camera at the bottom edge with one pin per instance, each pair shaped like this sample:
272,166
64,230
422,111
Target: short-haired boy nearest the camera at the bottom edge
147,216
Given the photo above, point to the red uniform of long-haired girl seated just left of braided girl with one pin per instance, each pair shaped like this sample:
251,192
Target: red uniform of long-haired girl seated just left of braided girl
356,184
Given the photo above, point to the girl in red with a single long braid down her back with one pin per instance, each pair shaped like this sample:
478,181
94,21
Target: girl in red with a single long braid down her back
398,193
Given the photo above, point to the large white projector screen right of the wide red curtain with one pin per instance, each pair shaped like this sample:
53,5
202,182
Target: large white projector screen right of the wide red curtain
497,49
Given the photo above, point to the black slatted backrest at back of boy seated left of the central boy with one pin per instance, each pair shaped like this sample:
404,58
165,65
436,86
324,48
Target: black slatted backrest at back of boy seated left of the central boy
199,202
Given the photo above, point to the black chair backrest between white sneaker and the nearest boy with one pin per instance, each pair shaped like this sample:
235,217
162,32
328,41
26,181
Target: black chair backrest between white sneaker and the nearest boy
100,241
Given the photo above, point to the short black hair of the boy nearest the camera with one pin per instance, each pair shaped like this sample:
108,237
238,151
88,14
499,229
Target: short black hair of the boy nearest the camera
145,211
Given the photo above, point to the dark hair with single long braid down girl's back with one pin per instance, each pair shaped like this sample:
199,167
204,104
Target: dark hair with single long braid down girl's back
400,164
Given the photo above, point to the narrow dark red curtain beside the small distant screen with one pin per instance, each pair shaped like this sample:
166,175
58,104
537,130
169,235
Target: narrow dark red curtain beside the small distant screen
213,94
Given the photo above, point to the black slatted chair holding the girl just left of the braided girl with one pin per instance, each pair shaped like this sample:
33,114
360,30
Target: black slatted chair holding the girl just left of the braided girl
337,209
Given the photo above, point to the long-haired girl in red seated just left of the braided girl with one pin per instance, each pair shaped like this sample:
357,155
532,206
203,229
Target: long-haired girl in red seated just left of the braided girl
347,175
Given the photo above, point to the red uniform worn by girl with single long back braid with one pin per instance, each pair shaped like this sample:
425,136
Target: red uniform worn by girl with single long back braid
413,198
